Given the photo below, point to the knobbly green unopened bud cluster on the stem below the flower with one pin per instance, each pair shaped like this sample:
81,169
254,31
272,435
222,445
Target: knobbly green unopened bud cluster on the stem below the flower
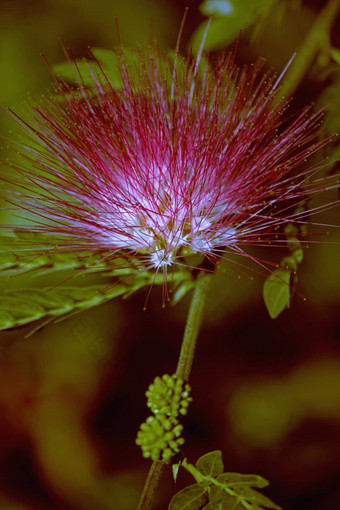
160,435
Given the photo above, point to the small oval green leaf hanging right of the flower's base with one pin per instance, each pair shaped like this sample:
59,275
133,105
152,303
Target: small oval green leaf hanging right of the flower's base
276,292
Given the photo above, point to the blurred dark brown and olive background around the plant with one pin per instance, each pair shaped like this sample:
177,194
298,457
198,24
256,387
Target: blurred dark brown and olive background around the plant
266,392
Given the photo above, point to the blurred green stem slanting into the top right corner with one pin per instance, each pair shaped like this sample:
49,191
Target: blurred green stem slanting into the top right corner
313,43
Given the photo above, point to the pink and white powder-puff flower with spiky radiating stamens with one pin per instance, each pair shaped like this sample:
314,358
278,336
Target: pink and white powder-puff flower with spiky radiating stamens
176,161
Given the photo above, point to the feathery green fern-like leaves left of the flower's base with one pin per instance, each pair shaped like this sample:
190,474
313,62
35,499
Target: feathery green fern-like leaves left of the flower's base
22,306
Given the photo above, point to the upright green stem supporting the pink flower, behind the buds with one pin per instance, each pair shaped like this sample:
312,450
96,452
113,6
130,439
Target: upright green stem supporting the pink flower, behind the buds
186,356
